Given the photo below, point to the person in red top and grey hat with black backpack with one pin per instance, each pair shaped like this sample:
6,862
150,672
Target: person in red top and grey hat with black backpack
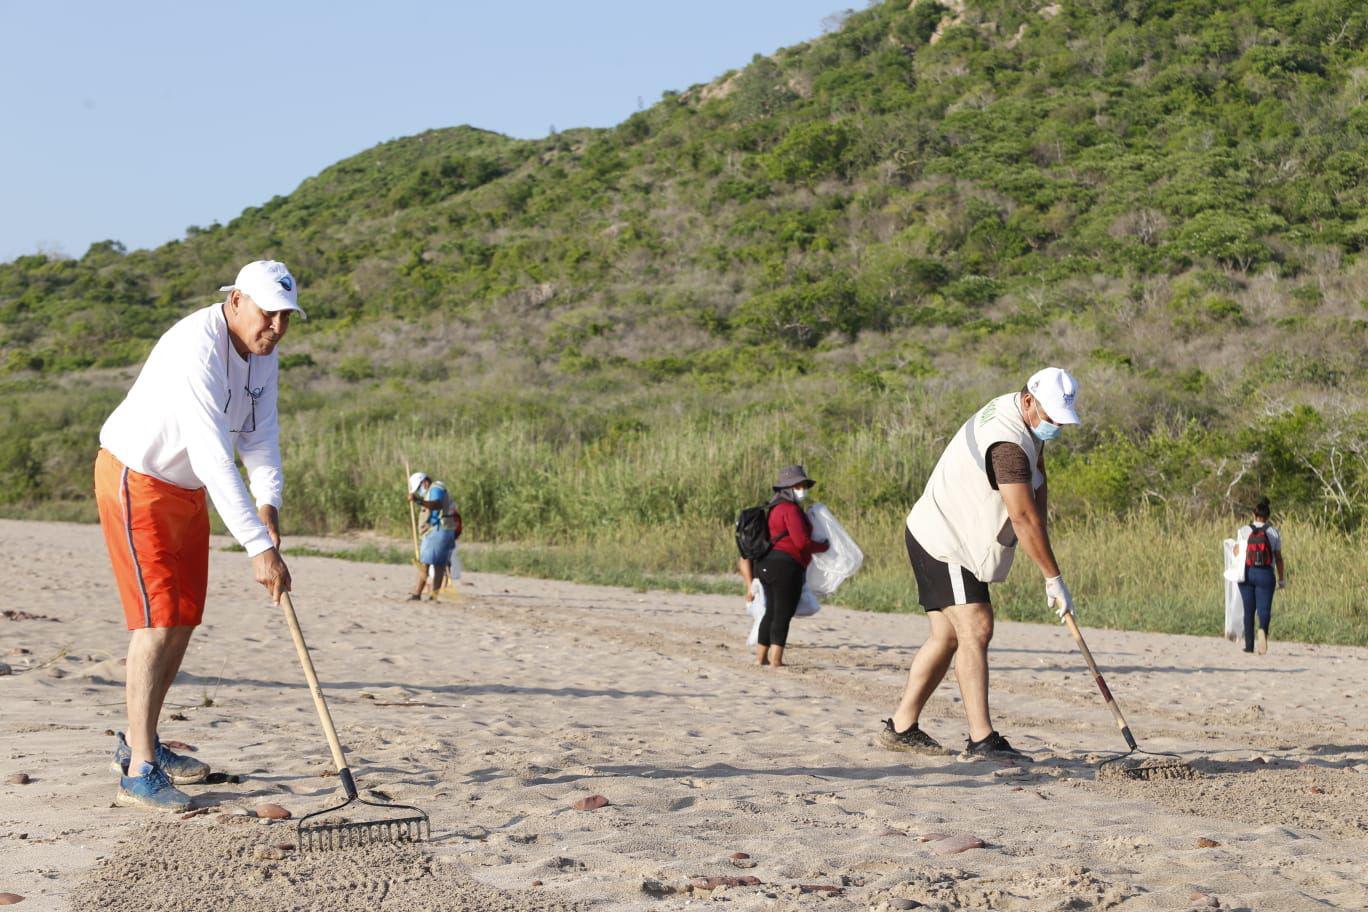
783,569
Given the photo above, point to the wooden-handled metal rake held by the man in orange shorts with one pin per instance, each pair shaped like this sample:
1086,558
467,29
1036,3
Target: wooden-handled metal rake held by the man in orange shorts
343,833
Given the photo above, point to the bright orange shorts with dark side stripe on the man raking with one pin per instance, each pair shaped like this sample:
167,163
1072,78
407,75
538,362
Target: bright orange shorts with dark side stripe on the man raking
158,537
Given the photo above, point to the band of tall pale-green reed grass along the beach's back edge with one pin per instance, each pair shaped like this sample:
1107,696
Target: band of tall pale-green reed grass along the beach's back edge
655,508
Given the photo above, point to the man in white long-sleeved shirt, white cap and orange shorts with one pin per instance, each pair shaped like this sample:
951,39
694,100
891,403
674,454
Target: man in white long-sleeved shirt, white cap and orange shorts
209,388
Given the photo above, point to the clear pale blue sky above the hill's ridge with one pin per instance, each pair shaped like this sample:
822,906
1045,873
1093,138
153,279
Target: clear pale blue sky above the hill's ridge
133,121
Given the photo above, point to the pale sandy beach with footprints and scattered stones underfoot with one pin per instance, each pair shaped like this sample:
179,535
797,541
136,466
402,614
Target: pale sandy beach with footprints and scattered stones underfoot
503,709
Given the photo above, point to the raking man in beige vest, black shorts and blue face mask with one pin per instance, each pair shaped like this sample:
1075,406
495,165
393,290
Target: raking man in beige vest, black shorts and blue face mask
986,496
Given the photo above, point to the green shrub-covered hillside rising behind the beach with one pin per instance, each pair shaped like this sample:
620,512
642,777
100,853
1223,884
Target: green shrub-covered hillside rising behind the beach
834,255
